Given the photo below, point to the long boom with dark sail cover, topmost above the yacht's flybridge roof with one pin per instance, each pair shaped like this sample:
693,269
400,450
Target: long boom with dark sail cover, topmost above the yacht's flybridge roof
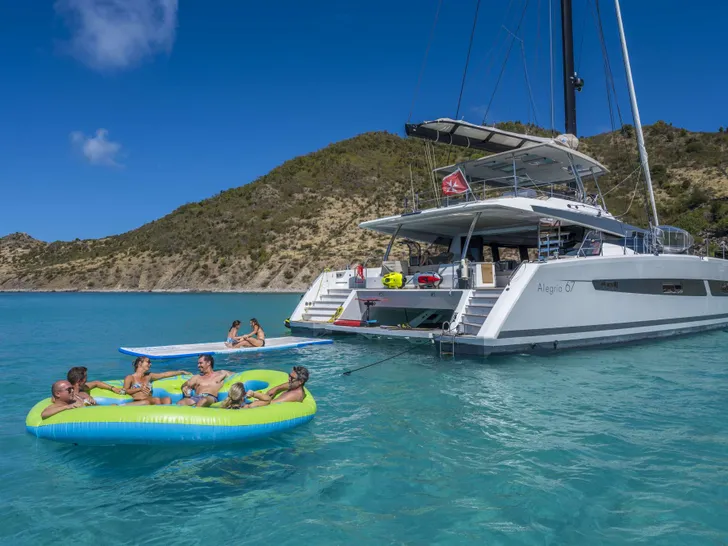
469,135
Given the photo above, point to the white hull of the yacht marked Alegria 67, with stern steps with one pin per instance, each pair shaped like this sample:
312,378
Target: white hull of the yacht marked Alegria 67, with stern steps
573,302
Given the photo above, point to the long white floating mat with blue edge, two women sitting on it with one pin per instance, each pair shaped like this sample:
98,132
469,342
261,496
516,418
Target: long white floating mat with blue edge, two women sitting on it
219,348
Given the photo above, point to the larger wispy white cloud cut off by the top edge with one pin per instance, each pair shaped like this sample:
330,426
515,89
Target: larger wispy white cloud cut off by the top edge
117,34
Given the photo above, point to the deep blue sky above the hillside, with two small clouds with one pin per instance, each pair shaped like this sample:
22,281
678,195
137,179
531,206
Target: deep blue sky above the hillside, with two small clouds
113,113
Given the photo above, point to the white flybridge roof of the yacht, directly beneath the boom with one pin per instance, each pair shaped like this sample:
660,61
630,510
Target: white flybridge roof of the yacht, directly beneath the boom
536,164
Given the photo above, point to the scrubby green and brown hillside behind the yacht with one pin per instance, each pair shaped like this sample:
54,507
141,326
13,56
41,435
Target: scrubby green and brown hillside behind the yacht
282,229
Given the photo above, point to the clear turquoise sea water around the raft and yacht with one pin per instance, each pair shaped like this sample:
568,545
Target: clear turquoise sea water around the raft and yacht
589,447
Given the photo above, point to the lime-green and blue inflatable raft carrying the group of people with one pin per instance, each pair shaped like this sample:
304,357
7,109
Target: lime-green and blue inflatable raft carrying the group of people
107,424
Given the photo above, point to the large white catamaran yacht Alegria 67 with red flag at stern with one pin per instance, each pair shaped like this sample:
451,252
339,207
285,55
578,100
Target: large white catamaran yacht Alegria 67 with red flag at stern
582,276
